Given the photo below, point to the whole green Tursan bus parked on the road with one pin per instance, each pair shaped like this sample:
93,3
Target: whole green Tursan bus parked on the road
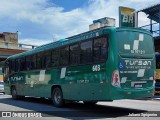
105,64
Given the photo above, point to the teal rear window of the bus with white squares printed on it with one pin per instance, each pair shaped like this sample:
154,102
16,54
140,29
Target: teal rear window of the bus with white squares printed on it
134,43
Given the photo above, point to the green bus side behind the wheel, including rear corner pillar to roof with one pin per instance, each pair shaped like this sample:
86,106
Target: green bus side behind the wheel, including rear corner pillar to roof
87,84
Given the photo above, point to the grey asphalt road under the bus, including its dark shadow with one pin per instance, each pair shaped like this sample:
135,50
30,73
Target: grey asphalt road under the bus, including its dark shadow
44,109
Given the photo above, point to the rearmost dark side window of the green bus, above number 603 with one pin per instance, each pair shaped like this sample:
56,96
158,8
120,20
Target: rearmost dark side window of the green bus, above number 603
100,49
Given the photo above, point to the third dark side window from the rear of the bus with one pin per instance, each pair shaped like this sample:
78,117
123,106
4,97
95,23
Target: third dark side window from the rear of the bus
74,54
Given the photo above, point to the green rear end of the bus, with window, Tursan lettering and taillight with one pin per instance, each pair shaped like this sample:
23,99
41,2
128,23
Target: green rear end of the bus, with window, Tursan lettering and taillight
135,74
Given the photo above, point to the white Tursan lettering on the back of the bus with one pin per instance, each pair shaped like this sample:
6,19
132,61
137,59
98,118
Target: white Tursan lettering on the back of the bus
137,63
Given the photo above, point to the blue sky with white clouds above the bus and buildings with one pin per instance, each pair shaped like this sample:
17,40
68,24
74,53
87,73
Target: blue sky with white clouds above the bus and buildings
43,21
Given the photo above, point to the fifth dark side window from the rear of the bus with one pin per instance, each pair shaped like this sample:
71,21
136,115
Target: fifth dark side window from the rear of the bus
55,58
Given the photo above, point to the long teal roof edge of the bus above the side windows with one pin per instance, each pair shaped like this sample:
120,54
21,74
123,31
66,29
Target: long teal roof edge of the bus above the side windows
69,40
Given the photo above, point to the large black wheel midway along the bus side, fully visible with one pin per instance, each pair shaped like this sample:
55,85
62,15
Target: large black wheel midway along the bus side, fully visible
57,97
